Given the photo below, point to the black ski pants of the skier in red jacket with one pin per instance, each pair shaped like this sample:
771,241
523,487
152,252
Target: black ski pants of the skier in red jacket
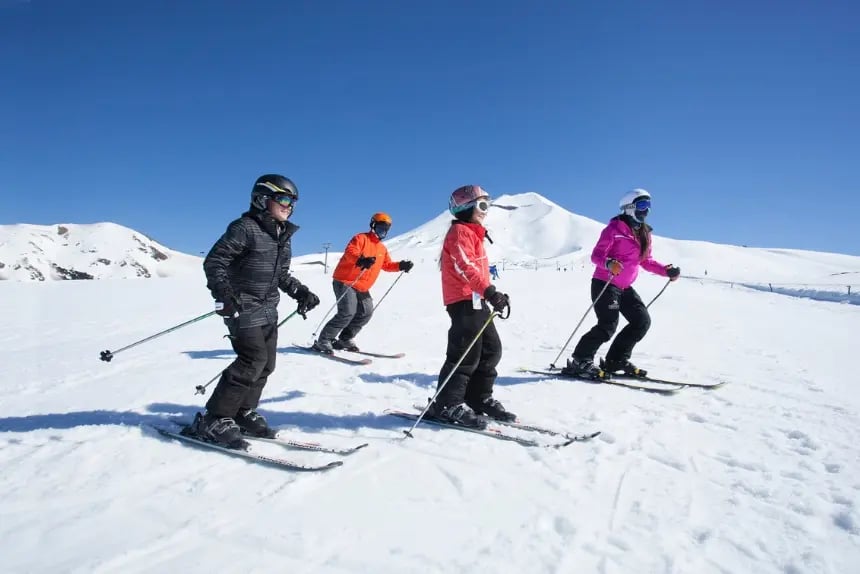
473,380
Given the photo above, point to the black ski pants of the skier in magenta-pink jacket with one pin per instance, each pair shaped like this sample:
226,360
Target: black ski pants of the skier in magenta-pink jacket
614,301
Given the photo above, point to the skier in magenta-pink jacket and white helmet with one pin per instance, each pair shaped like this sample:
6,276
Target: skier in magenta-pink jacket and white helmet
623,247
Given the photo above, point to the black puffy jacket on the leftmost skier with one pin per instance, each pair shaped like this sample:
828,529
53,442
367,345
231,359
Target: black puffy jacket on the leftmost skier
250,262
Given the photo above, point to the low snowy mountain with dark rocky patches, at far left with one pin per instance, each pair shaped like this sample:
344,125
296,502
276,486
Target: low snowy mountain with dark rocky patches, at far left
87,251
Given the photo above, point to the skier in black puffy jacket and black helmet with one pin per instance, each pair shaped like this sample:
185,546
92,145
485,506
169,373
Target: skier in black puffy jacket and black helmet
244,270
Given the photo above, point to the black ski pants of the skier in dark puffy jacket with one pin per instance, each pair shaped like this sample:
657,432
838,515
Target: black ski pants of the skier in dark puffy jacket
242,383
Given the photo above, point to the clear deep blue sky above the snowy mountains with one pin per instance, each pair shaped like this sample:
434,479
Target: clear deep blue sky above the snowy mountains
741,117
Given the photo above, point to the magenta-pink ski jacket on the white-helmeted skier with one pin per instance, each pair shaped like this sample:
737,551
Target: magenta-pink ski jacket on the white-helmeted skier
618,241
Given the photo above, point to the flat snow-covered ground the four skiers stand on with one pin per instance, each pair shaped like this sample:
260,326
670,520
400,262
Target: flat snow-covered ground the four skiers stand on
760,476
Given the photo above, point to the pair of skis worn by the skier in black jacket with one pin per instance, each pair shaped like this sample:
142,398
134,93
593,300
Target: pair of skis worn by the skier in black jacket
247,449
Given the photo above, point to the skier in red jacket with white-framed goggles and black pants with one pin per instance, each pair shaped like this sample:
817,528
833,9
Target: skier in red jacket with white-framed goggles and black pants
466,290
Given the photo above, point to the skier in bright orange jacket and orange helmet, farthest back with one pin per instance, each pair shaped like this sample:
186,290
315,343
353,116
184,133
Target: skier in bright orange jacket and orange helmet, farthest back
356,272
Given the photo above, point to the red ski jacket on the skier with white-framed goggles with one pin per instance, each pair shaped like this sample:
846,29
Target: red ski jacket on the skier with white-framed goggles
465,267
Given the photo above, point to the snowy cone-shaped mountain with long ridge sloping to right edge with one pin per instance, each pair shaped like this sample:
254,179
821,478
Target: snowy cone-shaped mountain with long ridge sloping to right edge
529,231
